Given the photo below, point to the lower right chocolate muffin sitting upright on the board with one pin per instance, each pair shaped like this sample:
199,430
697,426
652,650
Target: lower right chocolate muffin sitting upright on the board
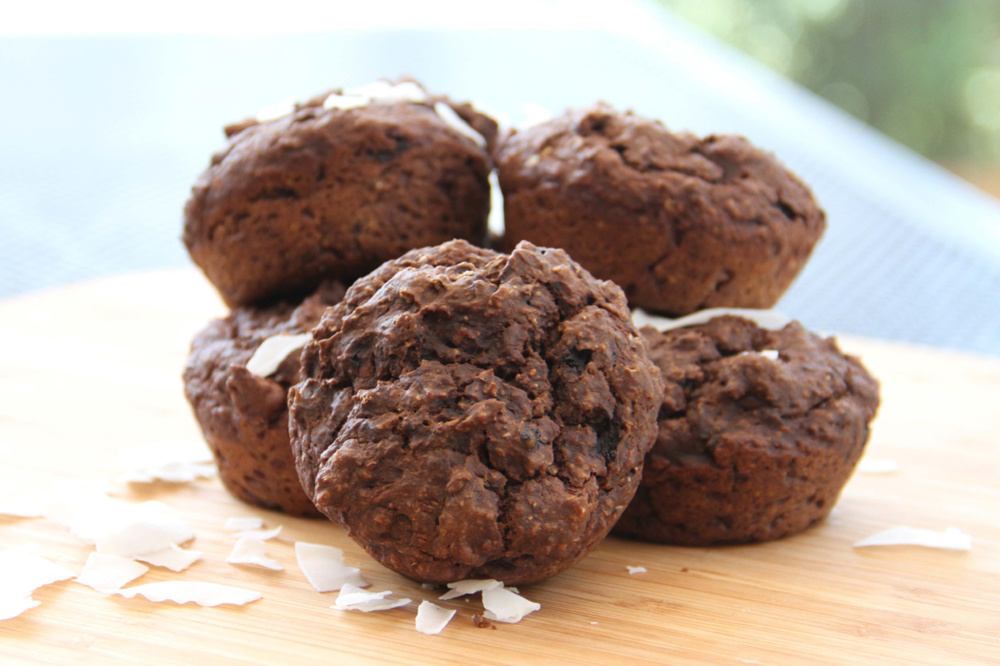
759,430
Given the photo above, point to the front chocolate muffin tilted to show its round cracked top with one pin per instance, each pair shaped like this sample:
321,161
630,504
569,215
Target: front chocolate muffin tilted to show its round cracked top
468,414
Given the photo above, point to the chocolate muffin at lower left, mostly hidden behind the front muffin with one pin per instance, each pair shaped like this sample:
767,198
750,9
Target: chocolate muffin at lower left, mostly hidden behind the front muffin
243,415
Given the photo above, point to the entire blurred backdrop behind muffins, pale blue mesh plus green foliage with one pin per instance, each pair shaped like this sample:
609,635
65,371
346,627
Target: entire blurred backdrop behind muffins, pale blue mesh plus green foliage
109,110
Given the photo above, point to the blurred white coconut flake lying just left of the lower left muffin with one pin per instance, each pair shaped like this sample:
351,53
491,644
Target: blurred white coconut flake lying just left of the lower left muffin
173,462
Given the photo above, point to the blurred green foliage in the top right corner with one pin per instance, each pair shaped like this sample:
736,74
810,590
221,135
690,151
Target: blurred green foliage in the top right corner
924,72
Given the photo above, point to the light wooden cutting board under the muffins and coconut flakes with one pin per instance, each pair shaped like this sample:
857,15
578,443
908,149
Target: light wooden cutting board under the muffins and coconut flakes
89,370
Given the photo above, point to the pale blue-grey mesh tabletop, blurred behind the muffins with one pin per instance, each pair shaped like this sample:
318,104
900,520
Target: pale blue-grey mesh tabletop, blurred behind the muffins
101,138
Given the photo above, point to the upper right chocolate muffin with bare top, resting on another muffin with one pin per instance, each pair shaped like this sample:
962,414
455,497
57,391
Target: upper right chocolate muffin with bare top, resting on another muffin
680,223
